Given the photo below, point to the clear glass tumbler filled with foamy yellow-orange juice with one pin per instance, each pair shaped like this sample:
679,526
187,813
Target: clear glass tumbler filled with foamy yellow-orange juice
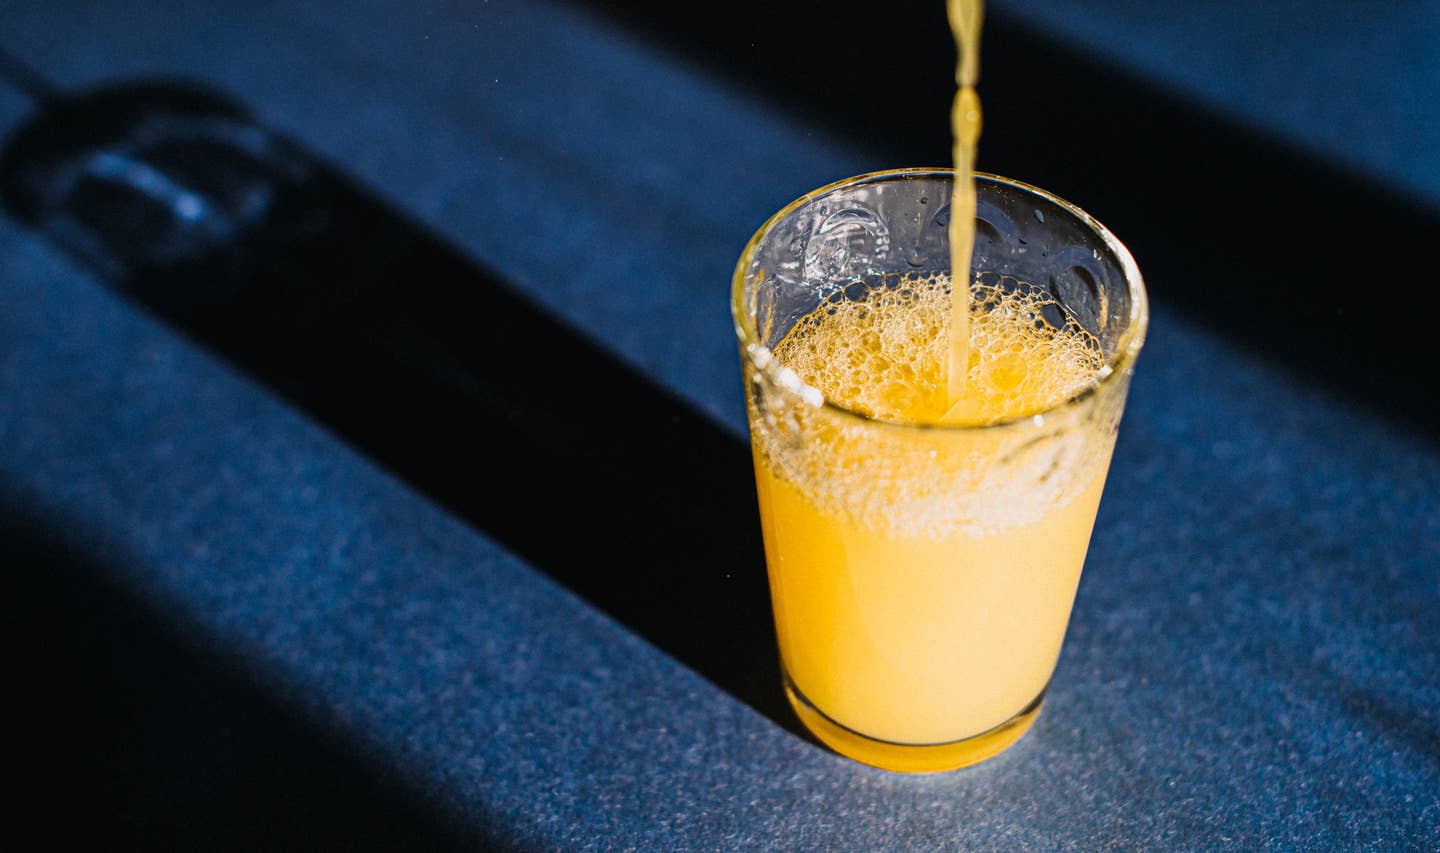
922,571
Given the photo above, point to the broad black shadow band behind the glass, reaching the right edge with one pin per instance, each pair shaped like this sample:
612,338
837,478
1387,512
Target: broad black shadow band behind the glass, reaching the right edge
1290,257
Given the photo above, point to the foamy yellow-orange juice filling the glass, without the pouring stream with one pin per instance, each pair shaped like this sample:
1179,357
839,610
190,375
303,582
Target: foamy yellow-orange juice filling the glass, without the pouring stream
922,579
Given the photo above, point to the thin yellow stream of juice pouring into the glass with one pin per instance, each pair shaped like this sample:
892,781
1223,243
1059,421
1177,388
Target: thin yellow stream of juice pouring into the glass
966,125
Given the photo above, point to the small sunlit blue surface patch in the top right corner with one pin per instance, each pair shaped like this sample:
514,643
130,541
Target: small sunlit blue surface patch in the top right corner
1357,84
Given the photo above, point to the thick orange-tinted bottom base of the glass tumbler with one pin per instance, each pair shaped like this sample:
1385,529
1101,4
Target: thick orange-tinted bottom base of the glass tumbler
912,757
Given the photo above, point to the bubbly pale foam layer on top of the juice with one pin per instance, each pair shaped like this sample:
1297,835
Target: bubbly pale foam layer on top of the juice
883,355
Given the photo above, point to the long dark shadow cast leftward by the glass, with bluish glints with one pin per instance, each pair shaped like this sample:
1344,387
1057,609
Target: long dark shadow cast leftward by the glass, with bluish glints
424,359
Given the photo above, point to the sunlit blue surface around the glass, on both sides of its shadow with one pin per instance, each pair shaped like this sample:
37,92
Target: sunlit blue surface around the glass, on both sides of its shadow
1254,655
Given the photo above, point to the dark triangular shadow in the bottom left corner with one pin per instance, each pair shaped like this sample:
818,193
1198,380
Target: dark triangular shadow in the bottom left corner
132,737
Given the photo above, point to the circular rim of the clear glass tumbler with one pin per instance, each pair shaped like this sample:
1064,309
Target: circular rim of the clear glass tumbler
764,361
